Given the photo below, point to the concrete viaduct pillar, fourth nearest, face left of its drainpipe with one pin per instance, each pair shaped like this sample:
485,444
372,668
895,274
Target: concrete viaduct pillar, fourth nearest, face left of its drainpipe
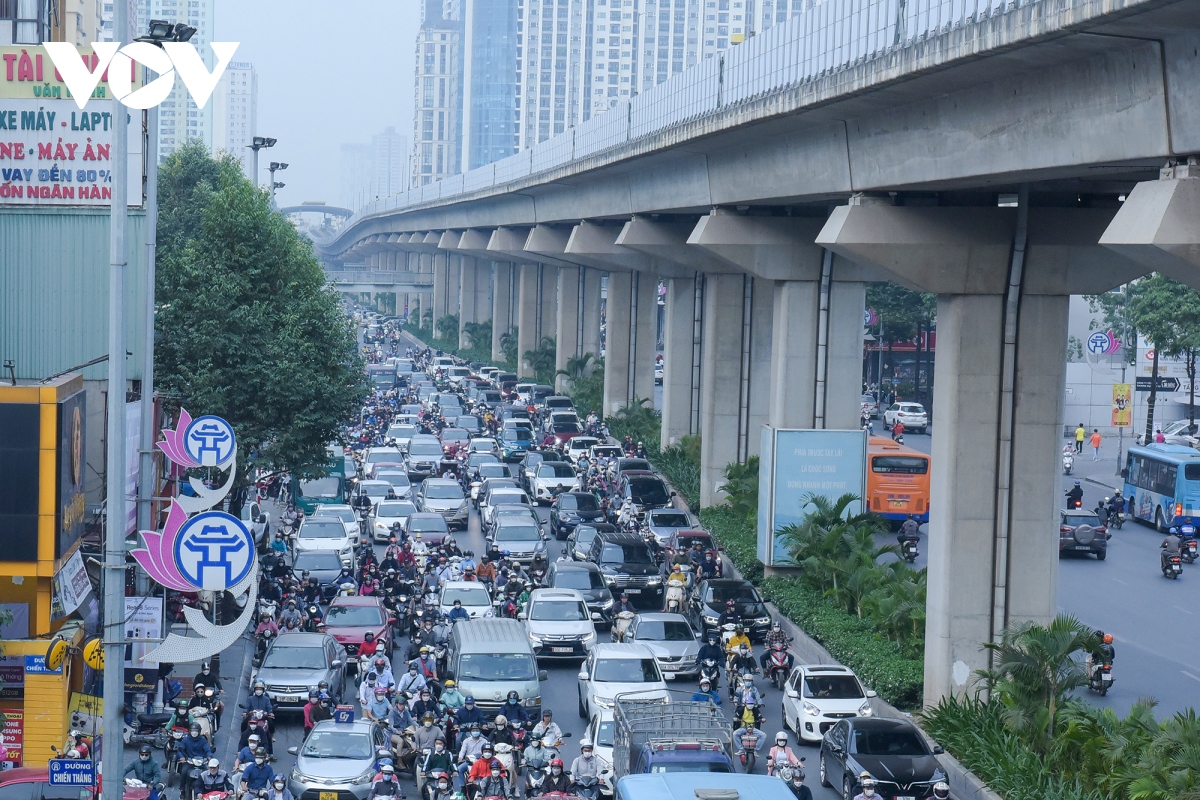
681,360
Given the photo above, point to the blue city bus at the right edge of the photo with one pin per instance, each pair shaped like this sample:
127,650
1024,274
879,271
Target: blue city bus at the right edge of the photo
1162,485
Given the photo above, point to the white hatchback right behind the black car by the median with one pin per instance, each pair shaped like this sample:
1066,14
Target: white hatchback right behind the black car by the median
818,696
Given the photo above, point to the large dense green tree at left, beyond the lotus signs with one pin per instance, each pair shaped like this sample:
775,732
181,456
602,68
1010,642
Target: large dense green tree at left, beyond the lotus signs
249,328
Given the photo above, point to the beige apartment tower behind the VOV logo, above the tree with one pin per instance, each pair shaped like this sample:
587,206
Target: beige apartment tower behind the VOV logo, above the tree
179,119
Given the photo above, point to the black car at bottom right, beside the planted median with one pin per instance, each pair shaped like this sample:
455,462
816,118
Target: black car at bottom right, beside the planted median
891,751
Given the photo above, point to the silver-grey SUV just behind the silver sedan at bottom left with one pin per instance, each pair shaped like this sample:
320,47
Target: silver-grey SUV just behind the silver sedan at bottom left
297,663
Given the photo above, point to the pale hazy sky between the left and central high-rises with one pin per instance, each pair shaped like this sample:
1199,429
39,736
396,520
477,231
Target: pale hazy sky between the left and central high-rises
329,73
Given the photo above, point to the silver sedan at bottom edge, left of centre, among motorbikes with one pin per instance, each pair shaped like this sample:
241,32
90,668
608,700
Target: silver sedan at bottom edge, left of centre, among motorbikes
338,759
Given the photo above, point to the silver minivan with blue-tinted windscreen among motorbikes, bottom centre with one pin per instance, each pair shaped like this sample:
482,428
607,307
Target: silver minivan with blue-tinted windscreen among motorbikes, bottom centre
490,658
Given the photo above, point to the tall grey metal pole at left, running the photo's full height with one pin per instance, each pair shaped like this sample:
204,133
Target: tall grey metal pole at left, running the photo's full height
115,466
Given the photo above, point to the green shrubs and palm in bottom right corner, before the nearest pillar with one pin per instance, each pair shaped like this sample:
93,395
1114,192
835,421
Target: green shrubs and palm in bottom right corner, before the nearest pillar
1031,739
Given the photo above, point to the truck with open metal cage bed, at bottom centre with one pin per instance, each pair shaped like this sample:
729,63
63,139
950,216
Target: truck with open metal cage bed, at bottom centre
670,737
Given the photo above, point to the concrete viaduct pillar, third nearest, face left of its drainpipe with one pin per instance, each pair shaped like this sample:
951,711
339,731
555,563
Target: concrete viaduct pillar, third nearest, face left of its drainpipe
727,305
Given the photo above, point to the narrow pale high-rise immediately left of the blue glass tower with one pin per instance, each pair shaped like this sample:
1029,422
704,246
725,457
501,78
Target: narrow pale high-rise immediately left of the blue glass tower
437,119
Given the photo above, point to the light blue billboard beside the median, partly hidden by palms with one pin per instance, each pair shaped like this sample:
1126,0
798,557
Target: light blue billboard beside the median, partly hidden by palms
795,465
